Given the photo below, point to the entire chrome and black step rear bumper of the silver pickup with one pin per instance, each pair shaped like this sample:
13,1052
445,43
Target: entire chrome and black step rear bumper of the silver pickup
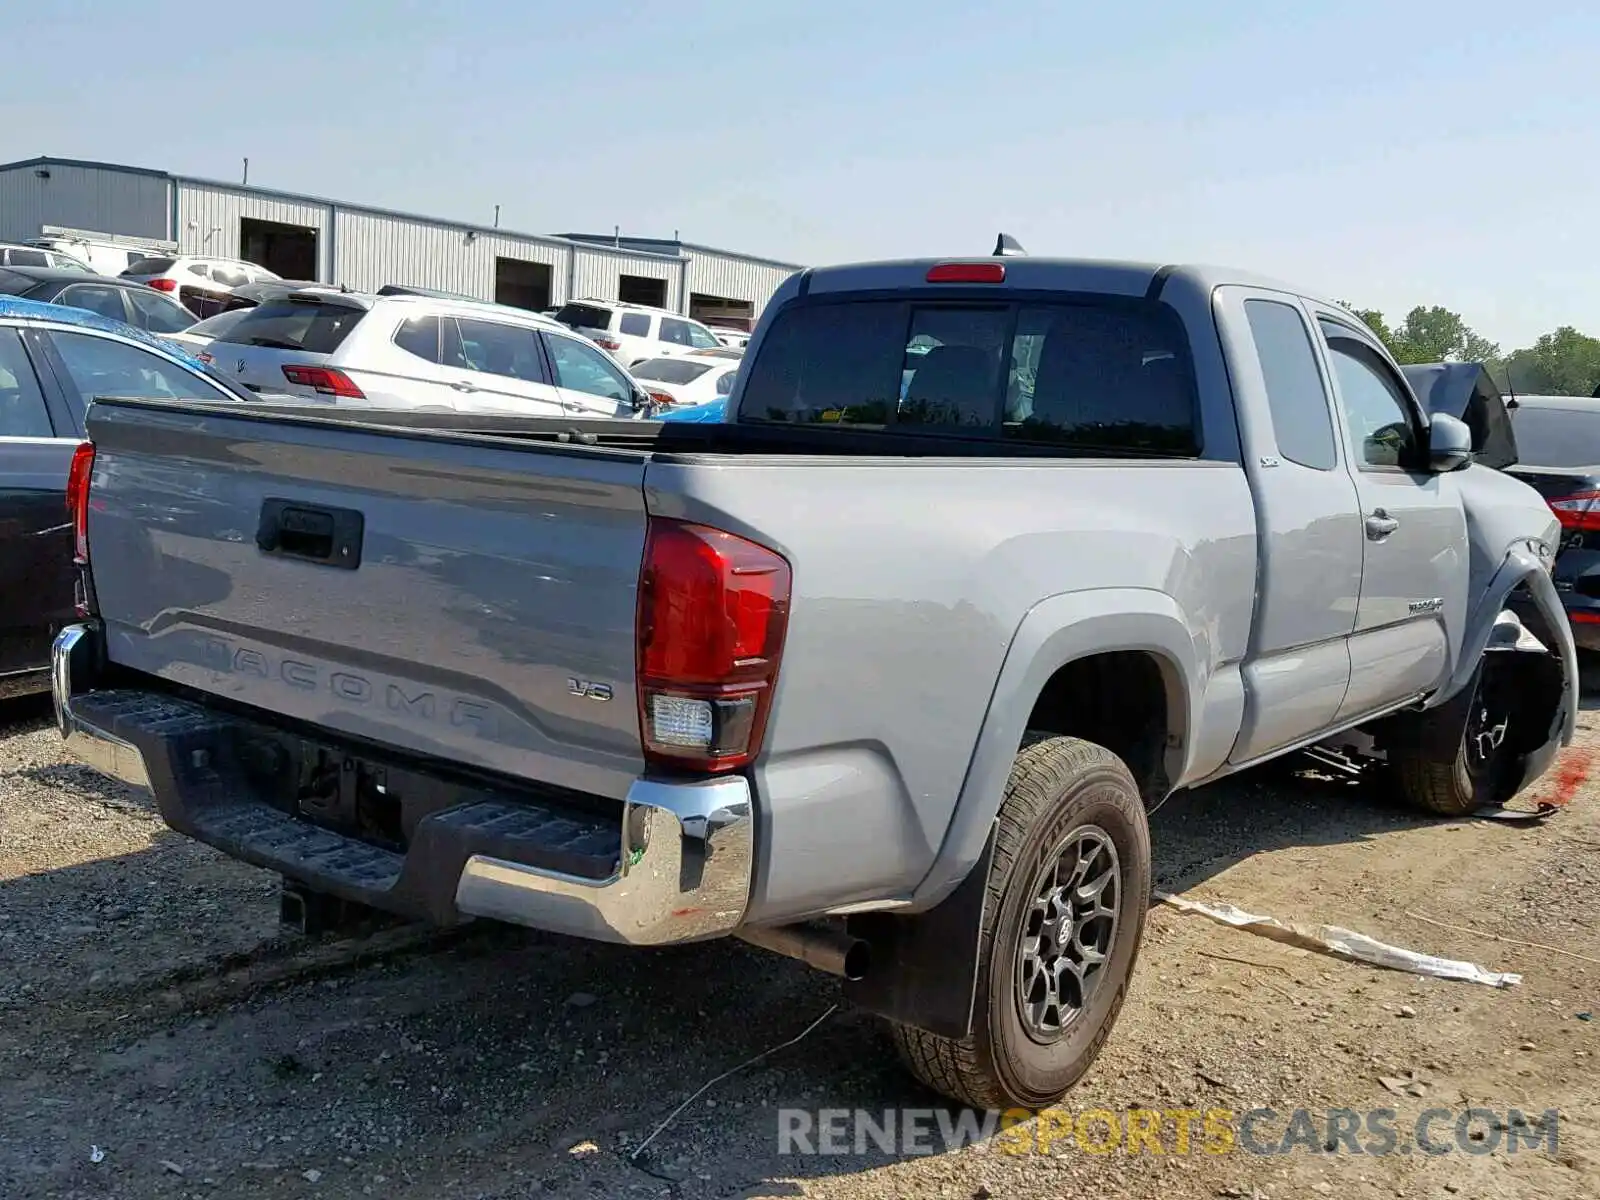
682,868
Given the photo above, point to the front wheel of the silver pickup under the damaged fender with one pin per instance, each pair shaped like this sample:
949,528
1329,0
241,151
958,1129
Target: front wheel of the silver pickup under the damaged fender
1481,770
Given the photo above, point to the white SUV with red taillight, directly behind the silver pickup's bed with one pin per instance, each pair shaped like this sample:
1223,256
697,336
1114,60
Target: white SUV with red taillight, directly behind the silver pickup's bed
425,354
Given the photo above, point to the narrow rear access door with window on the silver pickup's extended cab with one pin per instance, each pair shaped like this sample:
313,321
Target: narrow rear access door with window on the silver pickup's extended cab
1308,522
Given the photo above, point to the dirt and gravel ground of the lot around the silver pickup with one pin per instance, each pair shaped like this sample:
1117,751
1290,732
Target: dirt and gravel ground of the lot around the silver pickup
159,1038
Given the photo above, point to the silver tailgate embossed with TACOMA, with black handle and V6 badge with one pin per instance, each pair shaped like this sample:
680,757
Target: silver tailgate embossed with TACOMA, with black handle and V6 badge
434,594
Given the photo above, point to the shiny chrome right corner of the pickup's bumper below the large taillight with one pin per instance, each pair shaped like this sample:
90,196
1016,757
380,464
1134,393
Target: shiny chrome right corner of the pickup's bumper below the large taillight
686,873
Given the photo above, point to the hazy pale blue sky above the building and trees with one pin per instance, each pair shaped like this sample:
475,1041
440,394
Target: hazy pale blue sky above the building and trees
1414,153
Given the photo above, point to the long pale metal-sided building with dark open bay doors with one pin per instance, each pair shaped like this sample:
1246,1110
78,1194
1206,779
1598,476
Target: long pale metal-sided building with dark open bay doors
364,249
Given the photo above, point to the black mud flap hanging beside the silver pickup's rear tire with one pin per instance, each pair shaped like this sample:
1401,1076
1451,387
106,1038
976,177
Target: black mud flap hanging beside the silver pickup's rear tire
926,966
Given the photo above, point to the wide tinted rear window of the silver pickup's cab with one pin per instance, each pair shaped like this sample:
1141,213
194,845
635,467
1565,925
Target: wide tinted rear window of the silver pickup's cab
1106,375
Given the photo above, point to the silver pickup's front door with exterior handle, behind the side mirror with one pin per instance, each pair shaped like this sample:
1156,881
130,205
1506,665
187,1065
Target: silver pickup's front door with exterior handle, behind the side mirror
1414,529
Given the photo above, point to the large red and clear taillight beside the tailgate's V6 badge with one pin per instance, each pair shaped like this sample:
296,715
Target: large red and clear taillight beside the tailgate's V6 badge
713,610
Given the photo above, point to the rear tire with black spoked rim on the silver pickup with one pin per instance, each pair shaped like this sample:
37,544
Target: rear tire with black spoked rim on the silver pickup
1054,969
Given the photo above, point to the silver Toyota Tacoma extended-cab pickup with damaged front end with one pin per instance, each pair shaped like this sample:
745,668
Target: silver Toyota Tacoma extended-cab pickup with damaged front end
884,673
